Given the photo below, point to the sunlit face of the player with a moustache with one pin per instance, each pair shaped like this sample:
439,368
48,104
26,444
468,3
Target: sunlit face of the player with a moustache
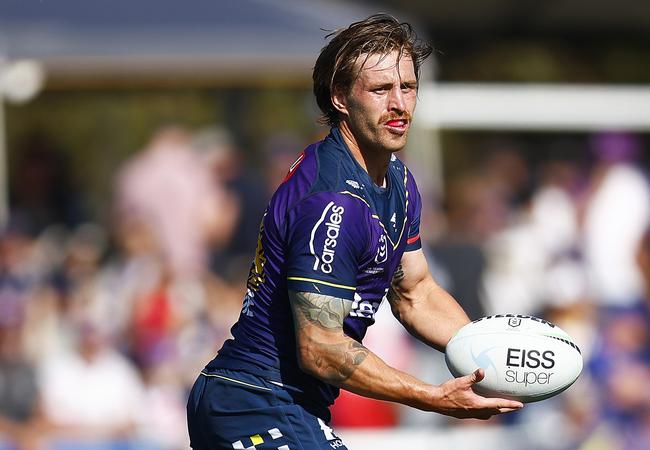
379,107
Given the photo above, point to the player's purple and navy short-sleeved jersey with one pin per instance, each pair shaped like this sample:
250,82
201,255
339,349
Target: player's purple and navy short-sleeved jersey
330,230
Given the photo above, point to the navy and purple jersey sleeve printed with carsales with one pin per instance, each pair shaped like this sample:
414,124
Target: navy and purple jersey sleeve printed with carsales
326,239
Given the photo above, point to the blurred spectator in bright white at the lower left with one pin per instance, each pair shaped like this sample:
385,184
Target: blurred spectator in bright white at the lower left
90,391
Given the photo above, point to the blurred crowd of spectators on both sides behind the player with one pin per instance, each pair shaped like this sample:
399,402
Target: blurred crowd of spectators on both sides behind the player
104,325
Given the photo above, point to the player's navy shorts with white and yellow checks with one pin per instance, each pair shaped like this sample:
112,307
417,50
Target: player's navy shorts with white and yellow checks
236,410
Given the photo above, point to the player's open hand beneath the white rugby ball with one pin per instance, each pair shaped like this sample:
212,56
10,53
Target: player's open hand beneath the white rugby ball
457,399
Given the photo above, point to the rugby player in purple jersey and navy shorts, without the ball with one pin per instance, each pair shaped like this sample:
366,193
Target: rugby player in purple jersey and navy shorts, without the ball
340,235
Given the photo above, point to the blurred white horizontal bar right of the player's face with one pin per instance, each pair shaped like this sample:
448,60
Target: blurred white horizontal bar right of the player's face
551,107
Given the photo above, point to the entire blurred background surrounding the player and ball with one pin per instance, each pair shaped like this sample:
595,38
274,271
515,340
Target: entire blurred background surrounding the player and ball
140,142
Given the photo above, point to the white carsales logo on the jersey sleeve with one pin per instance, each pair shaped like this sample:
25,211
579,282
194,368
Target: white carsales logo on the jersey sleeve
332,217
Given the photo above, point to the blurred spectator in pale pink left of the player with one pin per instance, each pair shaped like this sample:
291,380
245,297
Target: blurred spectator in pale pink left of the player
171,198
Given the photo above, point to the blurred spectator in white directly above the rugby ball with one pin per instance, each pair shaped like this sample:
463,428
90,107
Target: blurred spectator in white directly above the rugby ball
539,243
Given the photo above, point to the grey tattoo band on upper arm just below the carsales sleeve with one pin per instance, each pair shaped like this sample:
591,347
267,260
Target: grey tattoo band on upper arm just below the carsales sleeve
321,310
